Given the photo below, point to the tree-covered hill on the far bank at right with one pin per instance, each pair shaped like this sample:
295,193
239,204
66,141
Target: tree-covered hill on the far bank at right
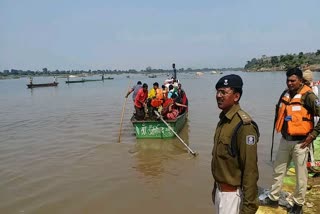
282,62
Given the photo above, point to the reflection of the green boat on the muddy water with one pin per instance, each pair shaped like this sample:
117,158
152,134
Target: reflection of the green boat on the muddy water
152,155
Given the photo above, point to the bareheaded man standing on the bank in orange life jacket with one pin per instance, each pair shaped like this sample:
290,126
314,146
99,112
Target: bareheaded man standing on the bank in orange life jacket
294,119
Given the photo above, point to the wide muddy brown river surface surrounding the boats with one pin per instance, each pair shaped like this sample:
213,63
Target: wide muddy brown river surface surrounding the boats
60,149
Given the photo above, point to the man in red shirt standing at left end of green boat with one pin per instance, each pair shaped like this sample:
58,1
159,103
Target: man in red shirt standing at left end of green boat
140,102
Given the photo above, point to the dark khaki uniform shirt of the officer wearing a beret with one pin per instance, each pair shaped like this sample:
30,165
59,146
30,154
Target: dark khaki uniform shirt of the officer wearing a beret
242,170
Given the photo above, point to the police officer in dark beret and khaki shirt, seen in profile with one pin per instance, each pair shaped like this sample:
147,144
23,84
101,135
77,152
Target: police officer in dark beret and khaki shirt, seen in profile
234,155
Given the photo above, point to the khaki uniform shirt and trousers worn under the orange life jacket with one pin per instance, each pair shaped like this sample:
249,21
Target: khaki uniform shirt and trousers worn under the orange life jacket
289,148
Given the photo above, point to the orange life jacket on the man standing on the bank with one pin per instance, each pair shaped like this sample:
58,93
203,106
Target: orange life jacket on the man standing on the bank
299,121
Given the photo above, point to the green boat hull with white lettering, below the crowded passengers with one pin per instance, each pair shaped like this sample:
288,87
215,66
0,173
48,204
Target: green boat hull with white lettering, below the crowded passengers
156,129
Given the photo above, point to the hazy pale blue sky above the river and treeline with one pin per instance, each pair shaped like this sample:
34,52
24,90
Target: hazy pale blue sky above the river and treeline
136,34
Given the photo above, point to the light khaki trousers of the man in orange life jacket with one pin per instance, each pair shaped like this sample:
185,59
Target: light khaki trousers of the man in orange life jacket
290,150
